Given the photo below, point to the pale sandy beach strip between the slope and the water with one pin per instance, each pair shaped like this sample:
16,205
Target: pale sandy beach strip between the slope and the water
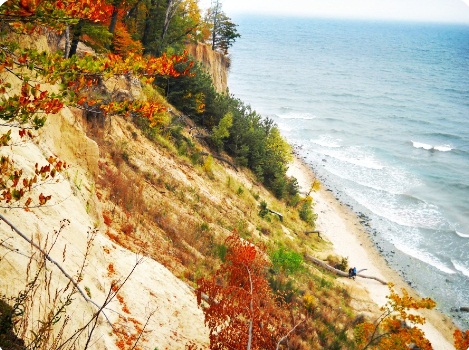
341,226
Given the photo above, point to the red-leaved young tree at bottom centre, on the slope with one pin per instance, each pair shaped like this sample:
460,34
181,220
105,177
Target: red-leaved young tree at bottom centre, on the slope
241,311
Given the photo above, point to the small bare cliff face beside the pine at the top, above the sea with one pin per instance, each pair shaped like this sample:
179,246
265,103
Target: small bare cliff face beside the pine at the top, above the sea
216,63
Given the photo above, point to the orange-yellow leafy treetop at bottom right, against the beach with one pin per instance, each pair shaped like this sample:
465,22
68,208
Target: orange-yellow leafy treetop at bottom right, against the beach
396,328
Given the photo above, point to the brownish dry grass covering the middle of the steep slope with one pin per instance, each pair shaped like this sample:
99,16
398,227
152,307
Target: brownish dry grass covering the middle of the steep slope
183,223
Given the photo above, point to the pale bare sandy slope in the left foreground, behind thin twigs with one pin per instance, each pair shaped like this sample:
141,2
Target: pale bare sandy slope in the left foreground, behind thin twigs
152,290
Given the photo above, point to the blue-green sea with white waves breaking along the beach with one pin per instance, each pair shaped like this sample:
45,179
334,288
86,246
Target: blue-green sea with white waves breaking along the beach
380,110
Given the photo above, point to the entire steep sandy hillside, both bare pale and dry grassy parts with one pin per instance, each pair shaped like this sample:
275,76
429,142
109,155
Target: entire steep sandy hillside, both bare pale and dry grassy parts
138,192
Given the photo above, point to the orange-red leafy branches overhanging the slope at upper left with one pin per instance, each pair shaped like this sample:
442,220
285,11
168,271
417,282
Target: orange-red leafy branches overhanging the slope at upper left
27,74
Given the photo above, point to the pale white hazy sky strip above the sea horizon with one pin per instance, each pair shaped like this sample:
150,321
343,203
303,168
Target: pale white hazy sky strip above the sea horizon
426,10
